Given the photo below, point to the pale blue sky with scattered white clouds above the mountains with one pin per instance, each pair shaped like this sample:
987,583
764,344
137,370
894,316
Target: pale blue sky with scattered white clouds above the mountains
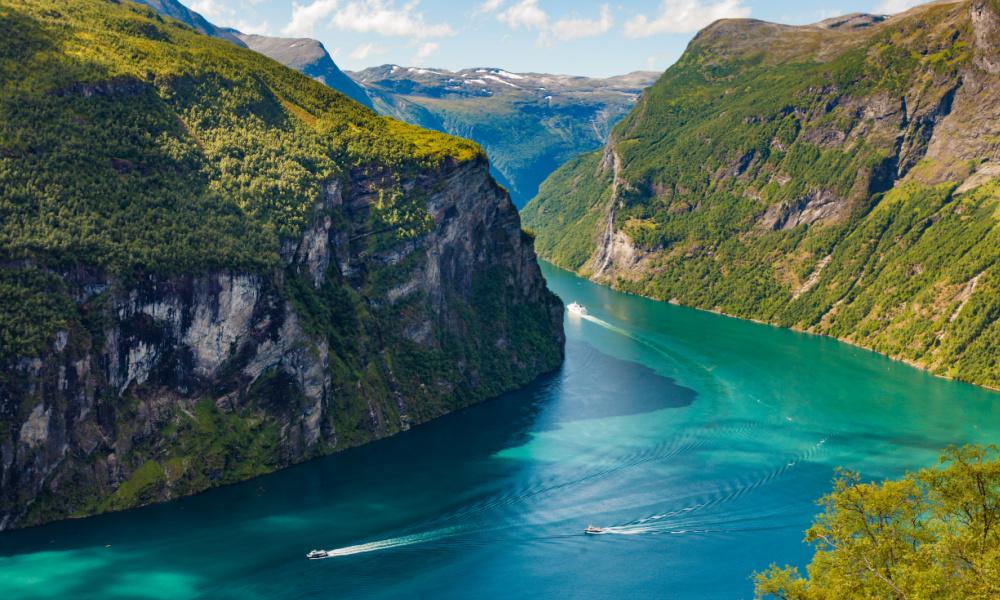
573,37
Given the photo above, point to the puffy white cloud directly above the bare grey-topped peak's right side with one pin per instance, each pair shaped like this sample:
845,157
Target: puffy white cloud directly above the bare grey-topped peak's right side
382,17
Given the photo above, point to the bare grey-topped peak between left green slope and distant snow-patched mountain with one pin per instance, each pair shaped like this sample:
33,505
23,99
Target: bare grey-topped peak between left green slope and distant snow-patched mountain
309,57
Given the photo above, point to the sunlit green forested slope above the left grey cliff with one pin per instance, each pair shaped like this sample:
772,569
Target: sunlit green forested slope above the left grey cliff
131,143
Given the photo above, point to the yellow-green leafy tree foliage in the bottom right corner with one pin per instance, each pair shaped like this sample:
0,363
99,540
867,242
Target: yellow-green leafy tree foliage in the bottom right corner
931,534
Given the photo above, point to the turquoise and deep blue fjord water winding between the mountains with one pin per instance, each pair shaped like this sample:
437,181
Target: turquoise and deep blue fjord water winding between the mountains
701,441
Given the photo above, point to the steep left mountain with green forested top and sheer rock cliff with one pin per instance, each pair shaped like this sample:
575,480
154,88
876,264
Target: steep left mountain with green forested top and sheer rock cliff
212,267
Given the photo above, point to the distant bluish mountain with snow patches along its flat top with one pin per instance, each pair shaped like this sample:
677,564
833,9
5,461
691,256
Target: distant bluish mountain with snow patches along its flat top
528,123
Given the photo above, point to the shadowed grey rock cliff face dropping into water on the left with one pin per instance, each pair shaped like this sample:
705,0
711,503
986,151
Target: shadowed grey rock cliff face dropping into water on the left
185,382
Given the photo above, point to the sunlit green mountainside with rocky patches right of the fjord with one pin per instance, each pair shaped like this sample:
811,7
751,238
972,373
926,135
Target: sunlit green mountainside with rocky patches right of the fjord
837,178
